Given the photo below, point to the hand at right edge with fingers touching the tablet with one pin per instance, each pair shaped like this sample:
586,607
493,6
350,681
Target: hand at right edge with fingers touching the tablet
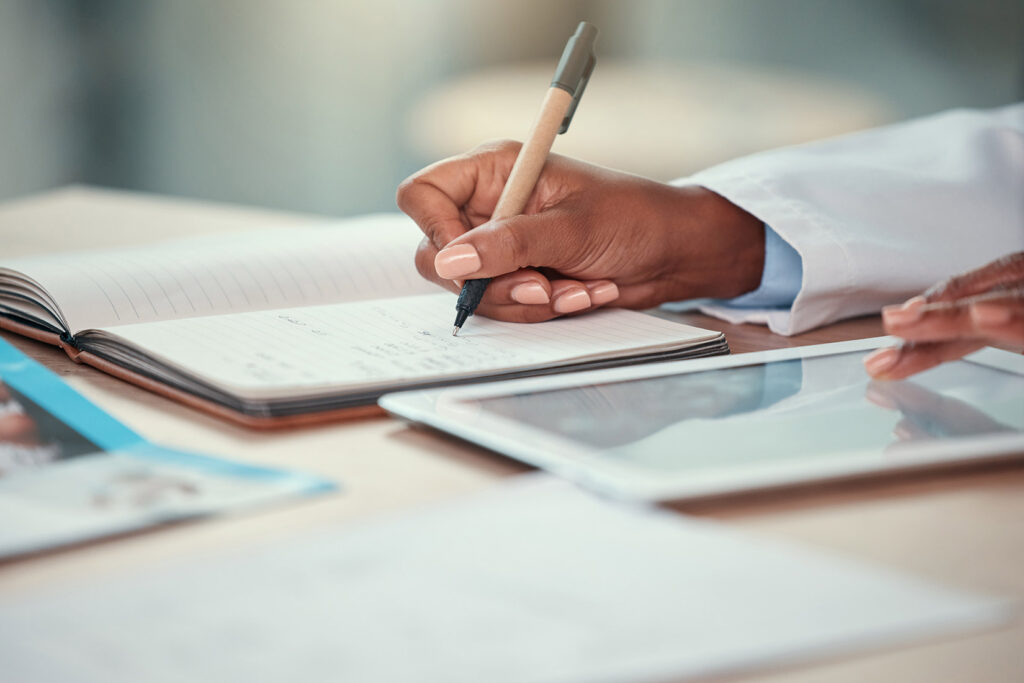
954,319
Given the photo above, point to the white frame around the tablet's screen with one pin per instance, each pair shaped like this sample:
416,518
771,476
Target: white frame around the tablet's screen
444,410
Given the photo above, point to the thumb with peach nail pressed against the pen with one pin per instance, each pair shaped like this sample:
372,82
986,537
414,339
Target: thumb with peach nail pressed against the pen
544,240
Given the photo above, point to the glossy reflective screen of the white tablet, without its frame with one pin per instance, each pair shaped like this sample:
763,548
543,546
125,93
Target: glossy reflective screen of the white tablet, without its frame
804,409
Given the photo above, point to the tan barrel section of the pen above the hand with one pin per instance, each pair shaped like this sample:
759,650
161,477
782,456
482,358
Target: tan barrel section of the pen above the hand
534,154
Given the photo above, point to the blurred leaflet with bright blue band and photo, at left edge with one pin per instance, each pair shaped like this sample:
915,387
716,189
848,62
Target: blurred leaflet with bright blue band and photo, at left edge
70,473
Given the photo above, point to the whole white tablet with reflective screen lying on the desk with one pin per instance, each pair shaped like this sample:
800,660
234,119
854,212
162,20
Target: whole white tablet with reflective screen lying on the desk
716,426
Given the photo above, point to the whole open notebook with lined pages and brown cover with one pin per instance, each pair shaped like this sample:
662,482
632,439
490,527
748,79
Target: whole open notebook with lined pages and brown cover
285,327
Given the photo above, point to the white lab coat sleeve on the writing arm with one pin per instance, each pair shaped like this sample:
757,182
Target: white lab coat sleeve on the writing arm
881,216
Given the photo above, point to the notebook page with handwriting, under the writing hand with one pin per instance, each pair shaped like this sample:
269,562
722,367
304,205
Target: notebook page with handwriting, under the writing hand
314,351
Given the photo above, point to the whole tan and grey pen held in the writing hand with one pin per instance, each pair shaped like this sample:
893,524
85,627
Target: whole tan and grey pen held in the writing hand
560,105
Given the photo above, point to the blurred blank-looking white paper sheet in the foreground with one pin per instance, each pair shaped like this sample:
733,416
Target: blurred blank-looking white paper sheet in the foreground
533,582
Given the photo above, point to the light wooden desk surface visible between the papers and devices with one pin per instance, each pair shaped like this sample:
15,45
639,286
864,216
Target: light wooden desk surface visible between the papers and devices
966,530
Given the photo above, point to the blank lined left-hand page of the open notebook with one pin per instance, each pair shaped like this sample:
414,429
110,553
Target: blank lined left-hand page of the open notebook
361,259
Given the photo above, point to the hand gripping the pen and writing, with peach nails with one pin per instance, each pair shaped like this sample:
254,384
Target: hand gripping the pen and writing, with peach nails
589,237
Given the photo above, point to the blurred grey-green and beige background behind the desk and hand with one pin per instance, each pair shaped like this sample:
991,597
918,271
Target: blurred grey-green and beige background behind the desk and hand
326,106
